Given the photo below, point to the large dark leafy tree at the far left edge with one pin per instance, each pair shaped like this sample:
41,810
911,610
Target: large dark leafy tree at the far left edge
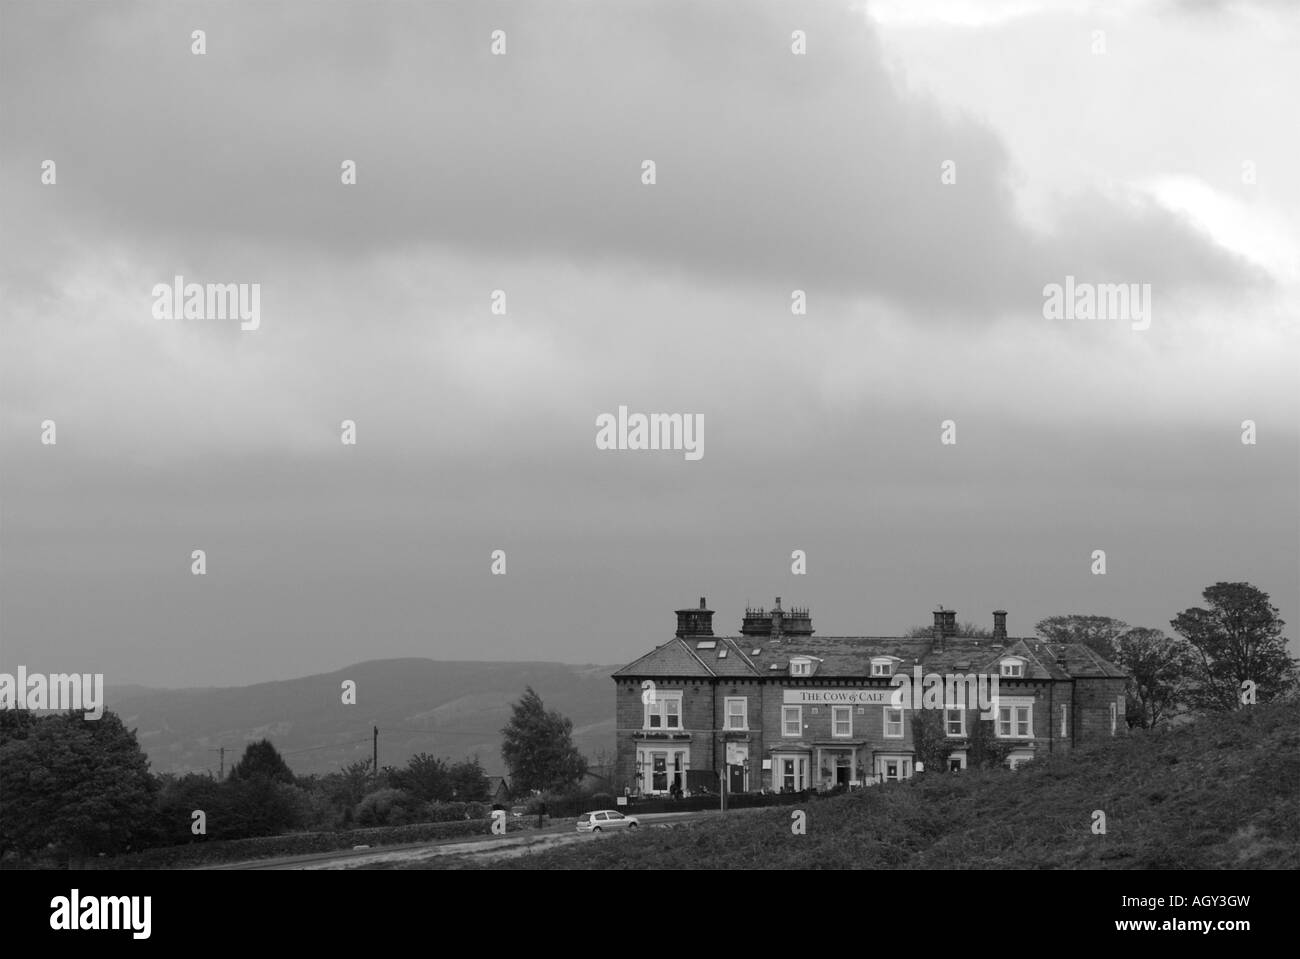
83,787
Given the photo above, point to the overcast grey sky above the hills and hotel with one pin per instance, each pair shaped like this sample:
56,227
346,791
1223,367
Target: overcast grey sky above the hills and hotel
922,172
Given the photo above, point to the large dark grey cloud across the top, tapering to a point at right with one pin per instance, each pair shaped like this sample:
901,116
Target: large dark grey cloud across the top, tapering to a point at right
800,171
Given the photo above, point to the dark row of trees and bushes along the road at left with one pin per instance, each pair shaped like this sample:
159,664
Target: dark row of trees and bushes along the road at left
75,789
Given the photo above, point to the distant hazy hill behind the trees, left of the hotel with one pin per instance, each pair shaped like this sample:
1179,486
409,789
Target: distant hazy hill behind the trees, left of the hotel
421,705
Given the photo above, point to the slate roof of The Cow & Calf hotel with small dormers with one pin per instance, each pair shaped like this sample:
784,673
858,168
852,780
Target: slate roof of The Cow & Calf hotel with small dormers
851,657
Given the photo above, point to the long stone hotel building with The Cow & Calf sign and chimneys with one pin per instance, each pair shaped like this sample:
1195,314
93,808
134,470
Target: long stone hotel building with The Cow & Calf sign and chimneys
779,709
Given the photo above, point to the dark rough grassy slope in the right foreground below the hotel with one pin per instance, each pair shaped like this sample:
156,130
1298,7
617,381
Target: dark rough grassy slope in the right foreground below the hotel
1219,793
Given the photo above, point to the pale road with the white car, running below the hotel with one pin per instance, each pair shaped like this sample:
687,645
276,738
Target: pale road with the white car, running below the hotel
488,847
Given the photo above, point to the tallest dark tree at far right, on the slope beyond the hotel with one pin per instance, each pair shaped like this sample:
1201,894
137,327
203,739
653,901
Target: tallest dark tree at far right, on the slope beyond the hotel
1237,640
